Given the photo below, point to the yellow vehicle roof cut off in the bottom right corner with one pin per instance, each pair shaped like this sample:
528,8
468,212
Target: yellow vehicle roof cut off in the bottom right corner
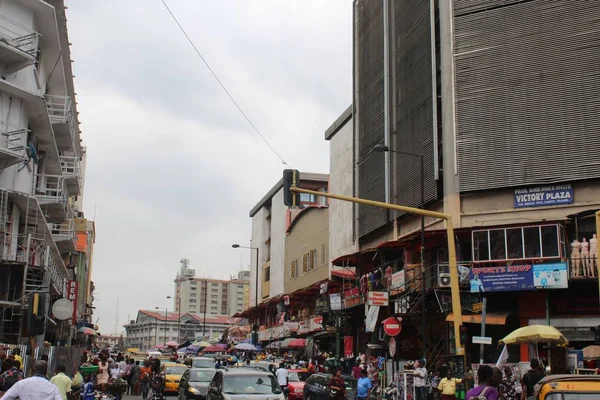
568,387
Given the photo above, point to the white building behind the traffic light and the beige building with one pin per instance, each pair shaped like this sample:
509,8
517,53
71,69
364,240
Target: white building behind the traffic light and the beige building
270,219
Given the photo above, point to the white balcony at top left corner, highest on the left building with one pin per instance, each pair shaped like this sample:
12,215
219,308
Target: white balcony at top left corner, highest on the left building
18,45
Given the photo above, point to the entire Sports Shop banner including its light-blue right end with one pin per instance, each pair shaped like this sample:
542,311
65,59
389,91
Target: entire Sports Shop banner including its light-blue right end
507,278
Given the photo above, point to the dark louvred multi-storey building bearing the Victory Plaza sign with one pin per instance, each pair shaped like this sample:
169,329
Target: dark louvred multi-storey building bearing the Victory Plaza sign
506,124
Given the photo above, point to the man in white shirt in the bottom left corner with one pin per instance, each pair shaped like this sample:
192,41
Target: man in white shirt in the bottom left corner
35,388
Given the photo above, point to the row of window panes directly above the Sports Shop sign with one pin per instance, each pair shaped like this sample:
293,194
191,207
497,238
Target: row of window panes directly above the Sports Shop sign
516,243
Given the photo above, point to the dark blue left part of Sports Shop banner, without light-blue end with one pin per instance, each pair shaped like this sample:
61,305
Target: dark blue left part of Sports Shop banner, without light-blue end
502,278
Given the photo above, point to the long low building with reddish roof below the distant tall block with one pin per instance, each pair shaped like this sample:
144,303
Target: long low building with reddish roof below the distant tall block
155,327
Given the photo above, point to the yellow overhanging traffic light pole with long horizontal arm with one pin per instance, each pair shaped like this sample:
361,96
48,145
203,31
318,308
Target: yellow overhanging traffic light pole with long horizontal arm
454,286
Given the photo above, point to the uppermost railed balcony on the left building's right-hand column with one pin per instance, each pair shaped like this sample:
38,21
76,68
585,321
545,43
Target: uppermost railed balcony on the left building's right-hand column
63,119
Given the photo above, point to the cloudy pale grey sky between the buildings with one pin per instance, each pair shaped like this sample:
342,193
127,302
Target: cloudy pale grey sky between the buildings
173,168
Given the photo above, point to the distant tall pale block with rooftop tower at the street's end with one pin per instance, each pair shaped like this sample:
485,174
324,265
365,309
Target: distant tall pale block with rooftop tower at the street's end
221,297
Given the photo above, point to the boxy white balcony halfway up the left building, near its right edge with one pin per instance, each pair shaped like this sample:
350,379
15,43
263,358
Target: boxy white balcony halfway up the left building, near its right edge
51,194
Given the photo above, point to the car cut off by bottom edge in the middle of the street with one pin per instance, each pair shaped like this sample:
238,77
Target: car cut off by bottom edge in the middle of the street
244,383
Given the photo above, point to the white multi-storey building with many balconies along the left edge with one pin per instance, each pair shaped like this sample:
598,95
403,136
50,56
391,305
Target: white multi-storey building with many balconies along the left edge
40,155
